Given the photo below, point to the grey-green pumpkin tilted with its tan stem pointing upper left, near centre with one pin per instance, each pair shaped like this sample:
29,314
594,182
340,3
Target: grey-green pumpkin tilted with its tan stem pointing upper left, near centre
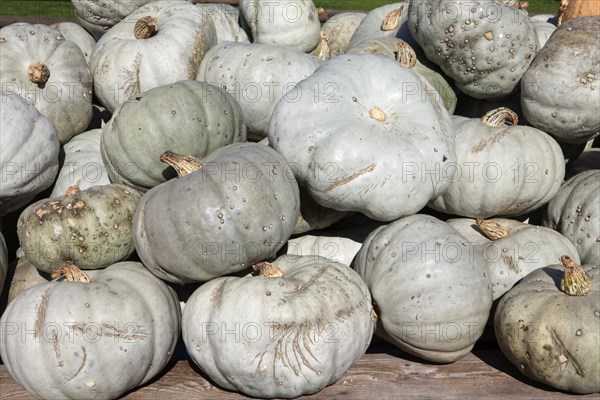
239,208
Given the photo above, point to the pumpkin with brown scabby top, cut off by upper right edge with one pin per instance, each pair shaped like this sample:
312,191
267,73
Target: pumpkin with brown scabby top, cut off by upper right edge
561,89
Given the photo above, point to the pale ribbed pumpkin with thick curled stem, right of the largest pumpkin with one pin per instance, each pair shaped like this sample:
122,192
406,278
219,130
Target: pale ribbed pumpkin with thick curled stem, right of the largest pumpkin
502,170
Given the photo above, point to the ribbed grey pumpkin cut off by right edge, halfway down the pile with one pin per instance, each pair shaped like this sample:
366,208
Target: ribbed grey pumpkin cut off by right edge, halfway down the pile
574,212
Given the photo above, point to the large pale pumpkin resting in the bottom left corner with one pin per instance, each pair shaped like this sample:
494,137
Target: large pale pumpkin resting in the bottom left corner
98,340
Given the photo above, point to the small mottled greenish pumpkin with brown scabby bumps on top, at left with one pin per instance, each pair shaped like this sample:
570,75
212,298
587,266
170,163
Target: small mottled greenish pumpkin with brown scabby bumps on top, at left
88,229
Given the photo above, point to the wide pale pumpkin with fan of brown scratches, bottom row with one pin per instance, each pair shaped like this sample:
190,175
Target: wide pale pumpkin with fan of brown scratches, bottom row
297,331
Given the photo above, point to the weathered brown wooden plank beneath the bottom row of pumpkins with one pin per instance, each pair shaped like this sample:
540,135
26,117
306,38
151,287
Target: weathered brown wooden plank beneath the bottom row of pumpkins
483,374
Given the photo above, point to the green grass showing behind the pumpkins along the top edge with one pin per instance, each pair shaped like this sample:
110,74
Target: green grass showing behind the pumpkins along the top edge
64,9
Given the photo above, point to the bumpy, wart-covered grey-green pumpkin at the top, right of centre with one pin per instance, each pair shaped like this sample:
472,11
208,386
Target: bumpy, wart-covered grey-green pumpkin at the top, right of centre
484,46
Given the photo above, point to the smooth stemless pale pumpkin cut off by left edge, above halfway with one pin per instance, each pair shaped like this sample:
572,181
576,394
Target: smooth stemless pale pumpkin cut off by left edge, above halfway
29,153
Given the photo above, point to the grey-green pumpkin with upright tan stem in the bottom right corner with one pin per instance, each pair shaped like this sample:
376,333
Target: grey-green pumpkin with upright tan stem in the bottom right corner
549,335
